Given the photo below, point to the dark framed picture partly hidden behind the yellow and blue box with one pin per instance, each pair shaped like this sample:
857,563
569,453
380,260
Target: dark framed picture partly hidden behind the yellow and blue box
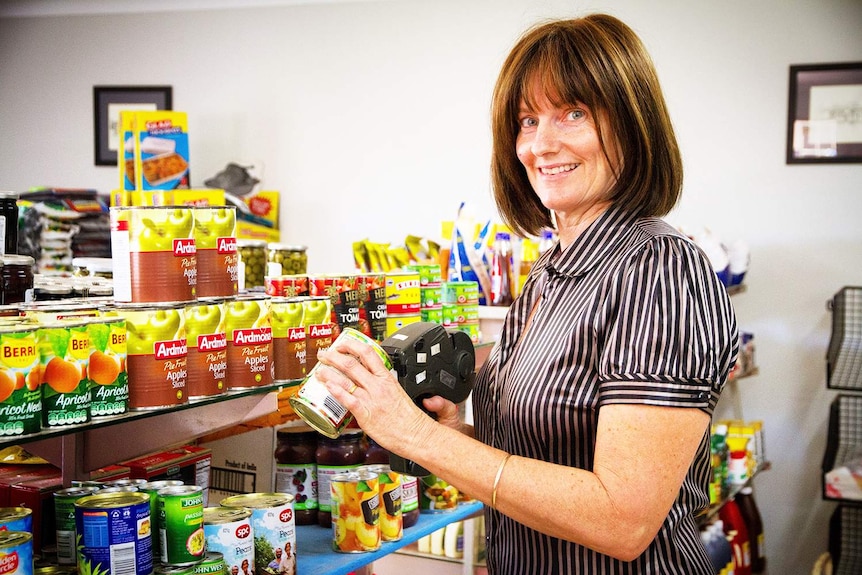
107,103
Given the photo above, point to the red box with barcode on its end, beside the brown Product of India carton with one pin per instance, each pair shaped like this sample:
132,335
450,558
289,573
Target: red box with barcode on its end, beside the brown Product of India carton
190,464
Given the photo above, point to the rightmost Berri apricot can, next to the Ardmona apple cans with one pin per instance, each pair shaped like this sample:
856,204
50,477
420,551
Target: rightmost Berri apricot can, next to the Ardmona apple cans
106,367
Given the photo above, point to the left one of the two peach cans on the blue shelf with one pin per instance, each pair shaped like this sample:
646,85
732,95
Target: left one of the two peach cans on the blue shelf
355,512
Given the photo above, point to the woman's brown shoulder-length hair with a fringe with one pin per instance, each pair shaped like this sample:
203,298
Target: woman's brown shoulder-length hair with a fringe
599,61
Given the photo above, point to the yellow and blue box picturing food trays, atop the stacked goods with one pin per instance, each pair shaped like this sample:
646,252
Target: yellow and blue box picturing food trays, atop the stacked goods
154,150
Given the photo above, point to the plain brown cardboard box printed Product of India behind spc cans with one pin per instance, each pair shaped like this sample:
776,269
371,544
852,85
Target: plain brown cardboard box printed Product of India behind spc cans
242,463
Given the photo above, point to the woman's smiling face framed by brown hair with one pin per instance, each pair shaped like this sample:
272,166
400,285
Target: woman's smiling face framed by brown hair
559,146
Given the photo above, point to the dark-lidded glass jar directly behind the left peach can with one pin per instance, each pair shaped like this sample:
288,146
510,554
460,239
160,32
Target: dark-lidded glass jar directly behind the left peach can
340,455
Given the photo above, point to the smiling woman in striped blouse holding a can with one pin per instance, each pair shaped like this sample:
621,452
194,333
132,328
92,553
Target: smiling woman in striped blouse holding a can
591,445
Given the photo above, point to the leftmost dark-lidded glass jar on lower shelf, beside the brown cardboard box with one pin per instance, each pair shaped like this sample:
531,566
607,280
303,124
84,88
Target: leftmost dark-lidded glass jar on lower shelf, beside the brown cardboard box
296,470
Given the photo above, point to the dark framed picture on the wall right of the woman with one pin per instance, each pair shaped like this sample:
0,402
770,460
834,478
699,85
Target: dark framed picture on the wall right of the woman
824,123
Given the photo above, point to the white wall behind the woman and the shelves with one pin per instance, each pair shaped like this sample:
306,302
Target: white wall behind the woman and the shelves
371,118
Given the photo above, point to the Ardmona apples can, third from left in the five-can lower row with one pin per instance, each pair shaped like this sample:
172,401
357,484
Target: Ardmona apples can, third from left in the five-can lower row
249,342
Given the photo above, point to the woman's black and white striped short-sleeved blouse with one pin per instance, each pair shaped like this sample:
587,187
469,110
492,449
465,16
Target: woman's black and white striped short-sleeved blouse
632,312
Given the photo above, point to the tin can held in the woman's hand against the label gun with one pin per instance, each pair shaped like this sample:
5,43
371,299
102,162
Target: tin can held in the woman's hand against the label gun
317,406
